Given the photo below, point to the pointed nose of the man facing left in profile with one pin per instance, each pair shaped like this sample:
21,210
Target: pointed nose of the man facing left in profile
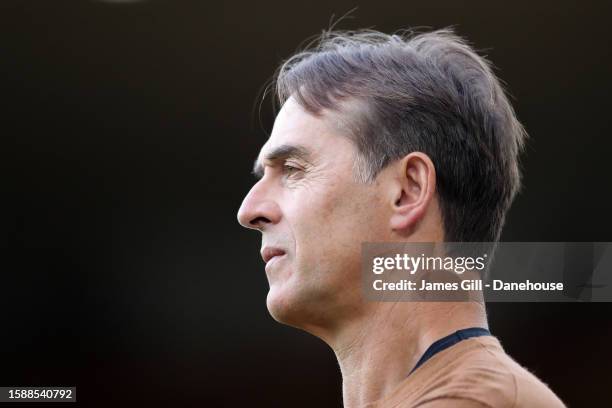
258,209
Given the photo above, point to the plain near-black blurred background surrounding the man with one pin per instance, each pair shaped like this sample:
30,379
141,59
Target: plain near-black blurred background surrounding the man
129,134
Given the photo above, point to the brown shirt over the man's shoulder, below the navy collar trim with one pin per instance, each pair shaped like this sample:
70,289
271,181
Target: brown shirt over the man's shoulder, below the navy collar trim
475,373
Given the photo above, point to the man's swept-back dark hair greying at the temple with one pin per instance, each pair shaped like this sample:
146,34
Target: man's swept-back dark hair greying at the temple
428,92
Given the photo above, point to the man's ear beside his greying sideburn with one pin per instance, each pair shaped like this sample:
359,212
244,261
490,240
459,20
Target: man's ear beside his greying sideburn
416,189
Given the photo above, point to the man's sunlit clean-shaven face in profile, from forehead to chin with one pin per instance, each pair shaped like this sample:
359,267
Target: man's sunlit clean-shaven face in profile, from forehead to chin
313,217
